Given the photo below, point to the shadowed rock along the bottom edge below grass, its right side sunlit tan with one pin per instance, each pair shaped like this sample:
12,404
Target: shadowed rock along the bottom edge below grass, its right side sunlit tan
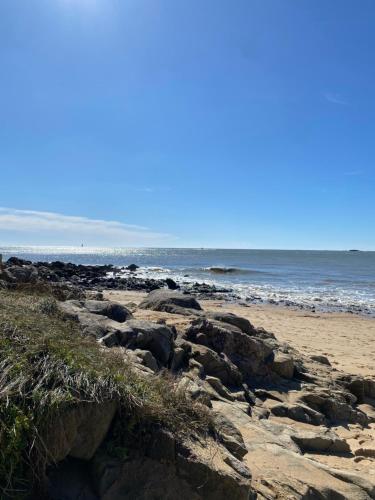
161,467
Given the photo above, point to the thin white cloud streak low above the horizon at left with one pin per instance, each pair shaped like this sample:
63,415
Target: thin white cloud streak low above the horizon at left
77,228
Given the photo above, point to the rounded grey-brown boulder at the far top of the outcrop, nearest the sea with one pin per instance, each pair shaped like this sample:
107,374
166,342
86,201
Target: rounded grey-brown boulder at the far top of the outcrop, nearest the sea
171,302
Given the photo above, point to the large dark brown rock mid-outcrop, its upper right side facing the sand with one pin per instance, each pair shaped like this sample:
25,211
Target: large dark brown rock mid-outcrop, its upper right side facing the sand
252,356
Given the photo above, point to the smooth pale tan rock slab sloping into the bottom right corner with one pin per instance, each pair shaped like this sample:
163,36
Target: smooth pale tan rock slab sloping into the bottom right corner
278,468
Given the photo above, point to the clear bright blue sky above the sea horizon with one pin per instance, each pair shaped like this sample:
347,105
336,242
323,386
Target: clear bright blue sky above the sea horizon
204,123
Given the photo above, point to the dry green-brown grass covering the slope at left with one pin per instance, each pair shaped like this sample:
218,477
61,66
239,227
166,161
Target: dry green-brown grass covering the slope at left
47,366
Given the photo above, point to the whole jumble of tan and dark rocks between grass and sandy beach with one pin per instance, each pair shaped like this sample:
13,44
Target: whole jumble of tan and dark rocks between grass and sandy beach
258,391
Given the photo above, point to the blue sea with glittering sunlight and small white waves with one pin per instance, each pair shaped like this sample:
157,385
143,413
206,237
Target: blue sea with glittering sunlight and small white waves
321,279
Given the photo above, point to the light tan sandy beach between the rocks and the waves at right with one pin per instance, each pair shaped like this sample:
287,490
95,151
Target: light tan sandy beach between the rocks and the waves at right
346,339
